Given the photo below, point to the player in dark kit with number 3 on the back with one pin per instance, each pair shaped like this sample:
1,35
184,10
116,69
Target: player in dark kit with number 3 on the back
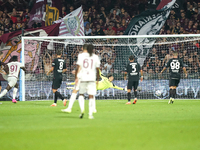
133,69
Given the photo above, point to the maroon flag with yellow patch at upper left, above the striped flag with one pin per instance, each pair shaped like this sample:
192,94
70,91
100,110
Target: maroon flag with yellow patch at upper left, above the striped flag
38,12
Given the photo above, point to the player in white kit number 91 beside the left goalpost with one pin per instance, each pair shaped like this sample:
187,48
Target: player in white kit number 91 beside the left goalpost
12,69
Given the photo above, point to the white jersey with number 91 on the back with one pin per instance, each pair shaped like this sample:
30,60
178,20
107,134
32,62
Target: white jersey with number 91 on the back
14,68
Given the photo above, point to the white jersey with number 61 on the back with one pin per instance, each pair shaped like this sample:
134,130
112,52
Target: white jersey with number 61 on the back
88,66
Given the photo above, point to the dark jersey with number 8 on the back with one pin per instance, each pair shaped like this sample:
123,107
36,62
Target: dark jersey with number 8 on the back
58,64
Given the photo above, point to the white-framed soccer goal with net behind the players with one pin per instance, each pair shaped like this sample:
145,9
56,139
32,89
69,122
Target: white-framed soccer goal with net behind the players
152,53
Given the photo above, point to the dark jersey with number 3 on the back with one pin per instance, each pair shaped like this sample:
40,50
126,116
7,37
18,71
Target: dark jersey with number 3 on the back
133,69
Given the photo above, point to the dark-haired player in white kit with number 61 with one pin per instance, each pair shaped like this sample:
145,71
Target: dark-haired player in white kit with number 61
88,66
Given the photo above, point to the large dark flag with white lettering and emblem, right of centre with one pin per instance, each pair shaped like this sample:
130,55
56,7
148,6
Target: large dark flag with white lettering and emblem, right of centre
147,23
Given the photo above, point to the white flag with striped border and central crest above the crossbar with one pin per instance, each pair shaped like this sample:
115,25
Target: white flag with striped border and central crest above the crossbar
72,24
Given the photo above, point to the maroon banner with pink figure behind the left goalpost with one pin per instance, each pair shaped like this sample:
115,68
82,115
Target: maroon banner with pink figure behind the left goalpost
10,44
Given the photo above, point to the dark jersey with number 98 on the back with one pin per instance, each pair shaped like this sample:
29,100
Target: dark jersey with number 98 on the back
175,65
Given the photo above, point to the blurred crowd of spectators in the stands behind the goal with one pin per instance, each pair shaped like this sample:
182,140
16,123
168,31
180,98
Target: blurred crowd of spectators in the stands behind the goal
111,17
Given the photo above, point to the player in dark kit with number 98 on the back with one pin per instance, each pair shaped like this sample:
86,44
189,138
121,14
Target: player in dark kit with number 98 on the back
175,65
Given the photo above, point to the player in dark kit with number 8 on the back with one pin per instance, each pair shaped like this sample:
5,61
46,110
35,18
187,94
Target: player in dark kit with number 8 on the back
58,67
